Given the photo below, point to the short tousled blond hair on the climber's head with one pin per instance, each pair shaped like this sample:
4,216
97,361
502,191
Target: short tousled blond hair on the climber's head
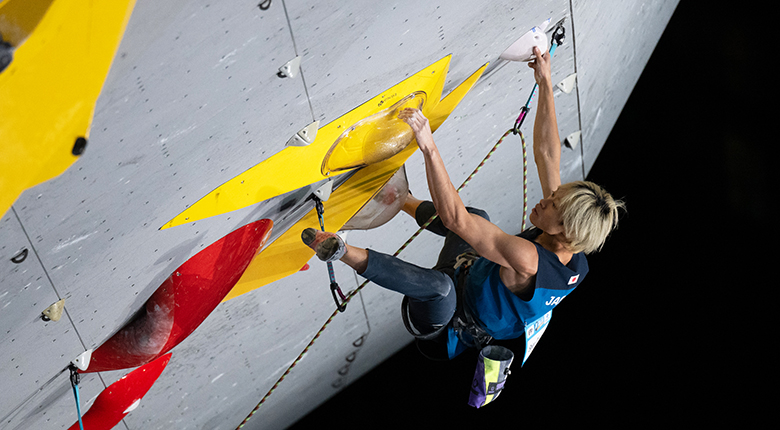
589,215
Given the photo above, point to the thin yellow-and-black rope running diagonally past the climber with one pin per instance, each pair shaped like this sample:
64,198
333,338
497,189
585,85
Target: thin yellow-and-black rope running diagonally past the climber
417,233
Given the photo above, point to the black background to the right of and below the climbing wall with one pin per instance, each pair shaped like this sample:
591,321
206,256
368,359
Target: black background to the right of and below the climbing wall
667,329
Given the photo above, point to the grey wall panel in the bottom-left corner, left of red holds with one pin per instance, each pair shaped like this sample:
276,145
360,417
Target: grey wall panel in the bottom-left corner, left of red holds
34,352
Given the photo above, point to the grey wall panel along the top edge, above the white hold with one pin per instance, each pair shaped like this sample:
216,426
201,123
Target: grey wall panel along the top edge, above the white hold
351,54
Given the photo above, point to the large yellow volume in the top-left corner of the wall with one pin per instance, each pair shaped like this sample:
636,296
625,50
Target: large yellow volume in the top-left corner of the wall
56,54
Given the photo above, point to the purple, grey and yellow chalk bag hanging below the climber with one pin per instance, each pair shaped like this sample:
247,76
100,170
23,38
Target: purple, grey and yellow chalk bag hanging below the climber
490,376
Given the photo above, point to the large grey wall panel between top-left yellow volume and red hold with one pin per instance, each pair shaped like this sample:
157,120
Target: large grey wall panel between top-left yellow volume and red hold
180,120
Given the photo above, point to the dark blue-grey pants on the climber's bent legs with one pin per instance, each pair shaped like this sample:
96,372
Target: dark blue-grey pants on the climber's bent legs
431,292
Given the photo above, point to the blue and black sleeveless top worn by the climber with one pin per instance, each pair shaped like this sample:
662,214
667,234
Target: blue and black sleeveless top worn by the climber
503,314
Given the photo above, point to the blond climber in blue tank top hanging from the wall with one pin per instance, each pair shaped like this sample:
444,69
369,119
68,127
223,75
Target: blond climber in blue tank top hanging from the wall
510,281
